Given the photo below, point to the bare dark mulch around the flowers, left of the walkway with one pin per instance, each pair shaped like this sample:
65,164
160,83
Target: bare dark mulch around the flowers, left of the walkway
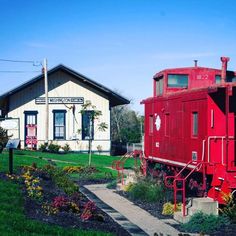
34,210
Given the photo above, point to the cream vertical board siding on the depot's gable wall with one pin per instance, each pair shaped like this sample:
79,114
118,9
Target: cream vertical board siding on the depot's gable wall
61,84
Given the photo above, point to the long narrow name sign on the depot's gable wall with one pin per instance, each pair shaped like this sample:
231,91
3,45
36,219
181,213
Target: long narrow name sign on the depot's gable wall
60,100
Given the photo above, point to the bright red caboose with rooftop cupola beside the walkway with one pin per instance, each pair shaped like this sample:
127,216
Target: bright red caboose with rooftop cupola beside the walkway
190,128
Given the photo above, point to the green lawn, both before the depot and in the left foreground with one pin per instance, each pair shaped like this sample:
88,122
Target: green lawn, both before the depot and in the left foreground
12,218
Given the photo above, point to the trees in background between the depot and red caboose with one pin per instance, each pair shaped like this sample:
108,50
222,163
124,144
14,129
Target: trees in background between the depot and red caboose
125,125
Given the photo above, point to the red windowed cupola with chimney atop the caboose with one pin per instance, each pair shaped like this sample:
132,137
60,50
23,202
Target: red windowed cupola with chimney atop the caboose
170,81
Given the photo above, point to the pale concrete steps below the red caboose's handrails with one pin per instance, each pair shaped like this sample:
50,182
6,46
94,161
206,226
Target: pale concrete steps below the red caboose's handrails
205,205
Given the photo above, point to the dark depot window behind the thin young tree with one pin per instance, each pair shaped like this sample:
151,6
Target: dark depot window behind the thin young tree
87,125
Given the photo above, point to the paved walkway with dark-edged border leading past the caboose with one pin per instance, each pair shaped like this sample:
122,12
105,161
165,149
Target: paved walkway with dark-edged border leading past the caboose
133,216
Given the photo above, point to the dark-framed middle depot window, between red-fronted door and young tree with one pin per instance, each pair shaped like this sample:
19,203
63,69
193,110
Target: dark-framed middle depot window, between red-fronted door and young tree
59,124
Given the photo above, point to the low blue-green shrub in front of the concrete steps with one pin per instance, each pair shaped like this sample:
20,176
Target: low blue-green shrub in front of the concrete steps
203,223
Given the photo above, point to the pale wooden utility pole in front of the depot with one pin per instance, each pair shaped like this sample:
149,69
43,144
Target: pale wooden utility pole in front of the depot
46,98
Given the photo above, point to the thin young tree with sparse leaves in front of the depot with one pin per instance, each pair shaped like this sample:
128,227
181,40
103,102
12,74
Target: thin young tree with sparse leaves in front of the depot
94,114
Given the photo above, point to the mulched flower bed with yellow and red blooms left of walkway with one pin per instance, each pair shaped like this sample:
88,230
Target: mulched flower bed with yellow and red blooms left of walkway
50,196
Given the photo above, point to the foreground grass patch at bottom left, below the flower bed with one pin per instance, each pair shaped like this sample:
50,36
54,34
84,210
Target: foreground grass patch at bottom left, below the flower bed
14,222
